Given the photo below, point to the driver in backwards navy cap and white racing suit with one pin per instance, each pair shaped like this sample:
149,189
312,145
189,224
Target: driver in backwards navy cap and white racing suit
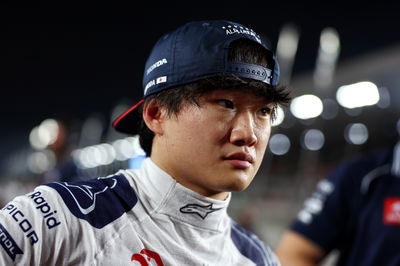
210,92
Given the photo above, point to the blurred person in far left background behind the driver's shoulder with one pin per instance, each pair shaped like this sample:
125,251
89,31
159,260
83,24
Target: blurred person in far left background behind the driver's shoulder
48,160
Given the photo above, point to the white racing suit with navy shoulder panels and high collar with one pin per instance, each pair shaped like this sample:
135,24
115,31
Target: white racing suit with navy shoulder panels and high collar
135,217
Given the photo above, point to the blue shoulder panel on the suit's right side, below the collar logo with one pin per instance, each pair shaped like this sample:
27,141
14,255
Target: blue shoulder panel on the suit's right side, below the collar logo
251,246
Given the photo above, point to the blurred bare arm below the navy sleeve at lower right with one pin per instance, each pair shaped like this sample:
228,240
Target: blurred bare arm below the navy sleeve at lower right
296,250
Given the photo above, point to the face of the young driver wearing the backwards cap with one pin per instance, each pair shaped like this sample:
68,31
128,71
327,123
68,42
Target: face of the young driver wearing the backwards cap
218,146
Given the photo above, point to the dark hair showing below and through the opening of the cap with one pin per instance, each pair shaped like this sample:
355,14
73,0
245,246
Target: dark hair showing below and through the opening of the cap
241,50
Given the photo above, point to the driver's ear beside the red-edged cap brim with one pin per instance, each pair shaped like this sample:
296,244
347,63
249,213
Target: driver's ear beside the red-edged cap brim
154,116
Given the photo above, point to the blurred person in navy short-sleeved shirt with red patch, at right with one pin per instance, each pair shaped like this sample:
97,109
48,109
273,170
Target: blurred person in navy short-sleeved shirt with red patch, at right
356,211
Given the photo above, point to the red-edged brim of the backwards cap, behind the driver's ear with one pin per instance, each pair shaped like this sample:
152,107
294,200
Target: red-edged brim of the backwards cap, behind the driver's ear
129,121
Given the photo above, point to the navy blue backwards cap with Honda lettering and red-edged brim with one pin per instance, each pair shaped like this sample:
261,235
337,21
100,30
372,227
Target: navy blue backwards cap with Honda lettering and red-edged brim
192,52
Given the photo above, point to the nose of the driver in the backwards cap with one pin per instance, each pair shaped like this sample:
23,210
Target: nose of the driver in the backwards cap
242,132
